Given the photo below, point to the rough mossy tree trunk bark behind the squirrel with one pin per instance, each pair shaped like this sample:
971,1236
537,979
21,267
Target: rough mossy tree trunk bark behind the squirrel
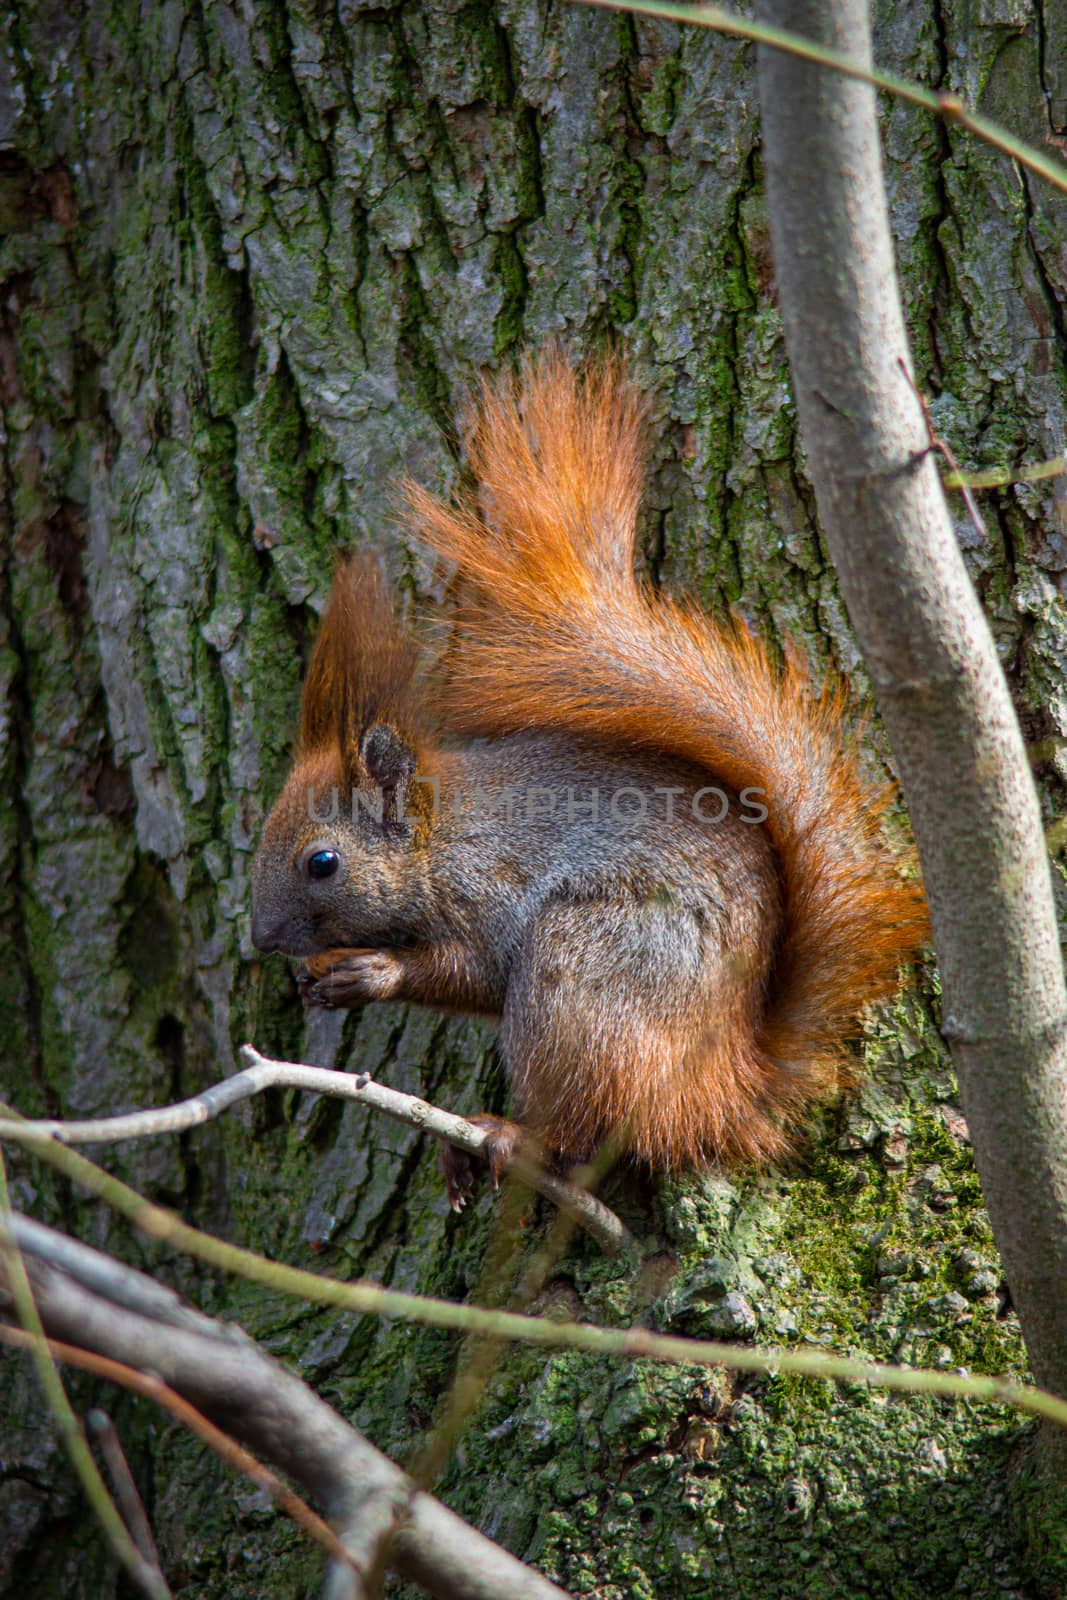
250,260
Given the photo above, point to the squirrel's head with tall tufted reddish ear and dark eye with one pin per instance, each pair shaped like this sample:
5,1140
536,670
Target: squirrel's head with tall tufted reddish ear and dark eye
337,863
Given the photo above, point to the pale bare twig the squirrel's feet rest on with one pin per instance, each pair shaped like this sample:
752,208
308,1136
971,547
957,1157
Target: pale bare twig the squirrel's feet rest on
262,1074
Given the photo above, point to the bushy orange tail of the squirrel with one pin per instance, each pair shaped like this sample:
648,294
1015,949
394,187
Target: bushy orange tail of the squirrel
557,634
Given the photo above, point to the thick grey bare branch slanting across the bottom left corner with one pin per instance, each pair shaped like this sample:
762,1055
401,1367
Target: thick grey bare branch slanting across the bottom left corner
228,1377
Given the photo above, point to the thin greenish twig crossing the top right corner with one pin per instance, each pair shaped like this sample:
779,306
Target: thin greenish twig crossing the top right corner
938,102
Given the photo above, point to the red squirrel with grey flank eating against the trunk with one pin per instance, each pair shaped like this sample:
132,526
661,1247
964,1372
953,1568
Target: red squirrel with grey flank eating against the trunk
615,825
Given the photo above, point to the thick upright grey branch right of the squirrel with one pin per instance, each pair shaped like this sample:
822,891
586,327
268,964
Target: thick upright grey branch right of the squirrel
929,650
